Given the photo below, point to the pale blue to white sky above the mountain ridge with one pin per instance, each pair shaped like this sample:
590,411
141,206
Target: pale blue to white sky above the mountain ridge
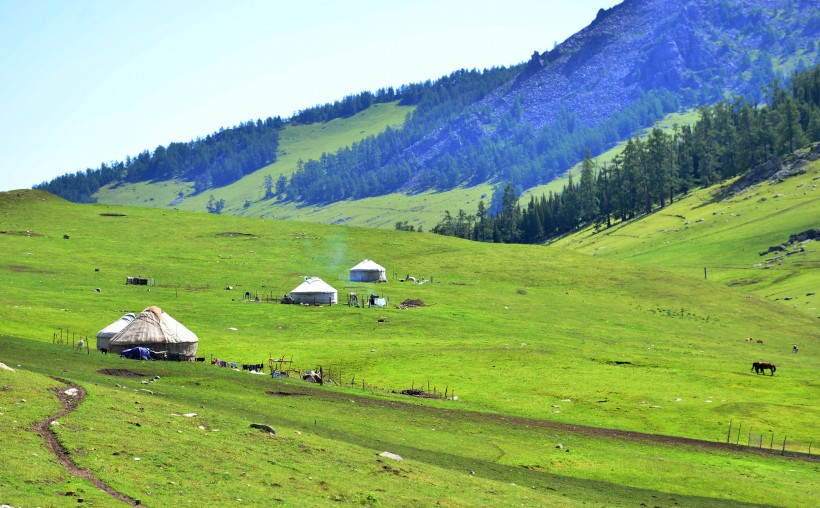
82,82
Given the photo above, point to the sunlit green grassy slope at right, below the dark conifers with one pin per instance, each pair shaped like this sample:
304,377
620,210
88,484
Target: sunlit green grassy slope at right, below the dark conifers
728,236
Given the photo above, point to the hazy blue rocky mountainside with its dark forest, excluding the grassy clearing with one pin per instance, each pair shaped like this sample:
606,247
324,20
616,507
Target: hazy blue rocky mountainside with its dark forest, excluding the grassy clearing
526,124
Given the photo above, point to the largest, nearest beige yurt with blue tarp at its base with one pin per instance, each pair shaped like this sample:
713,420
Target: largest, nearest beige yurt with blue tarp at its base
158,331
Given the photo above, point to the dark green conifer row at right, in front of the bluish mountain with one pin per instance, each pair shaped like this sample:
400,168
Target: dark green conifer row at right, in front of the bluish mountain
729,138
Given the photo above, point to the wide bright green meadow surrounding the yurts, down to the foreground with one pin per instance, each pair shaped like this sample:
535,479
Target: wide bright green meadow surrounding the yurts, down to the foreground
528,337
